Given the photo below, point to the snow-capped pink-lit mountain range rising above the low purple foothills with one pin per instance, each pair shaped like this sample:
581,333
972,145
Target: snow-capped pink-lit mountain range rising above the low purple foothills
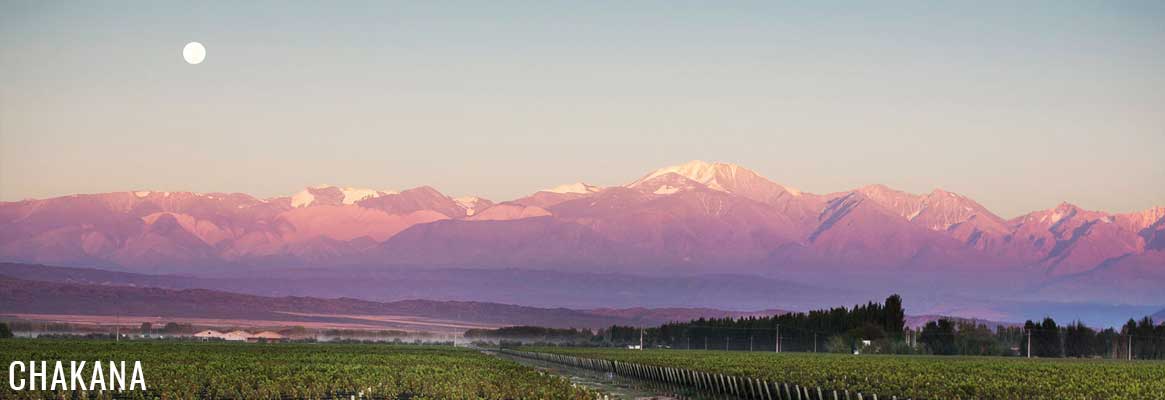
697,217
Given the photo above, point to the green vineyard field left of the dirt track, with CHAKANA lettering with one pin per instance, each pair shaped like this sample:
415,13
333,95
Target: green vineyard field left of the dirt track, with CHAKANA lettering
195,370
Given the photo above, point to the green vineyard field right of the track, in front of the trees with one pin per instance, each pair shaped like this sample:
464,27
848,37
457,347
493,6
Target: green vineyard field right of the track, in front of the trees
920,377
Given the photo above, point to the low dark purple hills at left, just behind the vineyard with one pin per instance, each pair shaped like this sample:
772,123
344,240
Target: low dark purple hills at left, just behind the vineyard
94,298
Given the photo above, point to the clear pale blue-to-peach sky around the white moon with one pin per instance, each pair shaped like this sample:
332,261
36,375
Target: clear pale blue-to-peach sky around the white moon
1018,106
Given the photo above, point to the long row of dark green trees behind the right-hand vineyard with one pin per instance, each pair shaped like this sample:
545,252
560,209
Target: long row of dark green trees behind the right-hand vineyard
871,328
